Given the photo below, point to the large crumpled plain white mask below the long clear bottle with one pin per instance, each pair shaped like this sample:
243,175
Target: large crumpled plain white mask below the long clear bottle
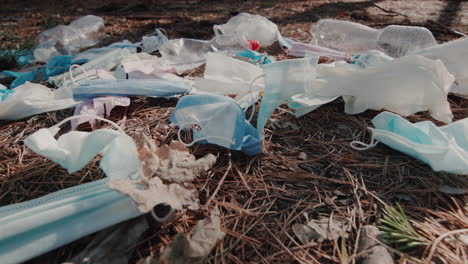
405,86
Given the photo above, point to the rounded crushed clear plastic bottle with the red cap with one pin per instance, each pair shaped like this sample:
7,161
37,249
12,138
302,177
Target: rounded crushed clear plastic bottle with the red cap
250,27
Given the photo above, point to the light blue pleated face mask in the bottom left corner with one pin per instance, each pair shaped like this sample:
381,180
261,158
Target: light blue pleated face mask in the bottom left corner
35,227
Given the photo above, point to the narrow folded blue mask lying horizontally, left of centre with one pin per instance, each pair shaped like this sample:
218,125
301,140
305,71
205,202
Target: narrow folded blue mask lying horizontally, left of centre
146,87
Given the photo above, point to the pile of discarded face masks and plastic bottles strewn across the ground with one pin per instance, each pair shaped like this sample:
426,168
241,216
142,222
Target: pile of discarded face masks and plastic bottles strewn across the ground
400,70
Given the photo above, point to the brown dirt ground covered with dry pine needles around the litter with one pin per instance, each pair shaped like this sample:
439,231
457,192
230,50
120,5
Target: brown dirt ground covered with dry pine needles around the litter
263,196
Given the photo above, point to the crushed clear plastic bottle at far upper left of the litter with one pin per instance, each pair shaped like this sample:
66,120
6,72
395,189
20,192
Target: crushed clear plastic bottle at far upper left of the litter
68,40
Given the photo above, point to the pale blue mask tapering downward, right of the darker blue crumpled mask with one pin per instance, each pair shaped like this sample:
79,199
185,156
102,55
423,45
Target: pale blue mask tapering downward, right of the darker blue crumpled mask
283,80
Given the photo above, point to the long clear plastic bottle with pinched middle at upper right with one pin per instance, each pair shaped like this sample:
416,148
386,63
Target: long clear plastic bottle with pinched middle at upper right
356,38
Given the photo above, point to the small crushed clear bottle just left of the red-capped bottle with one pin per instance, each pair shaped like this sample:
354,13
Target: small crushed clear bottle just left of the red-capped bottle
185,51
